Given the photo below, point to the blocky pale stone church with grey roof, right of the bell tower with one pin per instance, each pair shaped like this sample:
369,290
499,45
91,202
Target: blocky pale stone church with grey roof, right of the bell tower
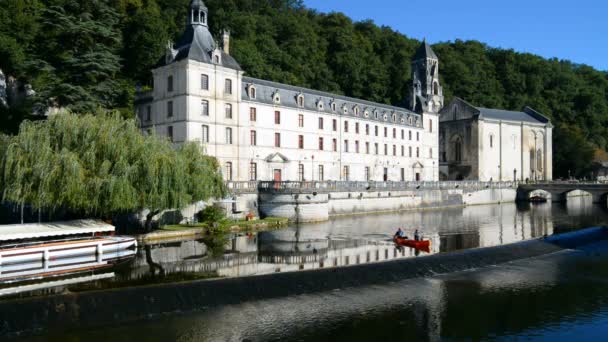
489,144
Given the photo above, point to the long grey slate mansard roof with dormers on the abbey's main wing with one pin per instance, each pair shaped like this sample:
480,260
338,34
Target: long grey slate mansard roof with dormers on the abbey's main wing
266,90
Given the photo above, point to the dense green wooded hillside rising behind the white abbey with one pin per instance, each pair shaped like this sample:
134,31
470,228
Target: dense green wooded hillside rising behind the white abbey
92,53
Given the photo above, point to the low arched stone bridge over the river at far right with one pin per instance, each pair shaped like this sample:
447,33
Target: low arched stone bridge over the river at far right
561,191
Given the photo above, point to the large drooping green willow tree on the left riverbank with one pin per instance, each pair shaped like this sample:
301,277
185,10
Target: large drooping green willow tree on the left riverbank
102,165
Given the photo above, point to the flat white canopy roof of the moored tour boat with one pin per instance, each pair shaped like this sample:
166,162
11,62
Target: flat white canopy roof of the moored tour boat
42,230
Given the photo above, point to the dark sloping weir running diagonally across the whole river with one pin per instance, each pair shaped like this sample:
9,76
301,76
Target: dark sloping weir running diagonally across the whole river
96,308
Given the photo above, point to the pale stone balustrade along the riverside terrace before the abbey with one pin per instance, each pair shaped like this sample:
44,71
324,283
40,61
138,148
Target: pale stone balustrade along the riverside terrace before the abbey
346,186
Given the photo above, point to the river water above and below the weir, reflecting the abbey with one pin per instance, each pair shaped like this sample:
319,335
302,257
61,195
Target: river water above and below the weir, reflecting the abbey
563,295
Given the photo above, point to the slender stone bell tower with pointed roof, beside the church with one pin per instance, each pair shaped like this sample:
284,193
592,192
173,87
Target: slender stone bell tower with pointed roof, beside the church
427,93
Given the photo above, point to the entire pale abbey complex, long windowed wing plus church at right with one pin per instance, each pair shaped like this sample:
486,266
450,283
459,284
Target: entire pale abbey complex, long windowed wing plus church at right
261,130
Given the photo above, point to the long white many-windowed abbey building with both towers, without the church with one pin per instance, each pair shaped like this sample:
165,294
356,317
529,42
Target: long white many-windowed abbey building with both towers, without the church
261,130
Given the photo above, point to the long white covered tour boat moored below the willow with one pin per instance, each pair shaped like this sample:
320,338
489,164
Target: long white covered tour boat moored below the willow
31,243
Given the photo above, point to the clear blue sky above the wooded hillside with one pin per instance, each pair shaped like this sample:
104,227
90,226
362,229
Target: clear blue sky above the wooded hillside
576,30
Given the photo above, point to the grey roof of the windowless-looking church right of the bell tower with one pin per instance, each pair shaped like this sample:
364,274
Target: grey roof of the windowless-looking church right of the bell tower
459,109
